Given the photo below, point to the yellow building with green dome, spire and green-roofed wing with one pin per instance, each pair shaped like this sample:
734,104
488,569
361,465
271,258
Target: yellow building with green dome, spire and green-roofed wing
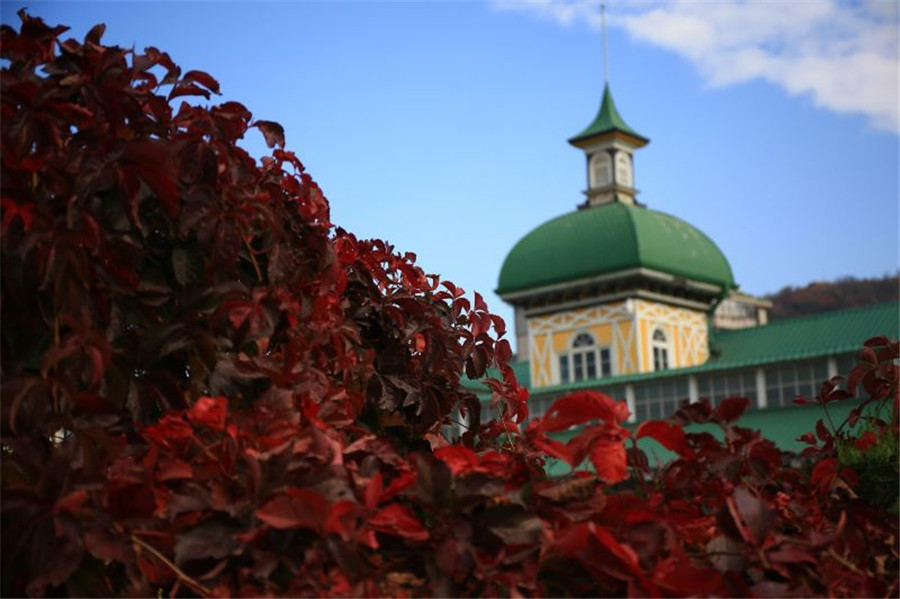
619,297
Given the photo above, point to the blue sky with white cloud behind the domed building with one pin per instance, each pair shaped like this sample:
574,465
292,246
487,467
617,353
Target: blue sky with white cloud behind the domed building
441,127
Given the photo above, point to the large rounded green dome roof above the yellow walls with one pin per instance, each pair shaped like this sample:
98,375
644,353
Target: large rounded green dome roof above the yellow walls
608,239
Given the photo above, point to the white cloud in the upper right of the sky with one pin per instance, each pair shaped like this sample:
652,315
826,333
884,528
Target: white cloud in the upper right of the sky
844,56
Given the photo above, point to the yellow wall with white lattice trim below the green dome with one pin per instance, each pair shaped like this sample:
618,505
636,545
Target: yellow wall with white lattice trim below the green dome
626,328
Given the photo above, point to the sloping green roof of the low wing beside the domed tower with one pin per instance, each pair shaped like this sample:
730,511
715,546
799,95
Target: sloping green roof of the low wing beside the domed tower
804,337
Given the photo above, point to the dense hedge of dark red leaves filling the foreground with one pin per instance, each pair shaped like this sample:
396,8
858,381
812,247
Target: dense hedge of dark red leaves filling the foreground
207,389
